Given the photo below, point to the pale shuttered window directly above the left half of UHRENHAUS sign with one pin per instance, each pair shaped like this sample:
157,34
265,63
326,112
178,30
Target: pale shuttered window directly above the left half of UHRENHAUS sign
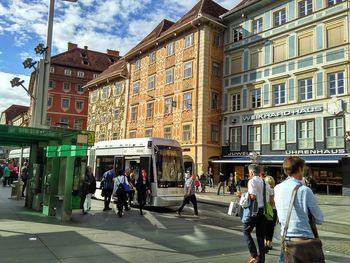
306,134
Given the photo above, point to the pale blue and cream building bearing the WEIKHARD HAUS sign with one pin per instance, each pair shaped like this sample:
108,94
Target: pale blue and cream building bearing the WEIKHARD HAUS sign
286,88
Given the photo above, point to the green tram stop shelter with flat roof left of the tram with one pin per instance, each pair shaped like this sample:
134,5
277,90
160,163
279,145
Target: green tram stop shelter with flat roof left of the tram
57,165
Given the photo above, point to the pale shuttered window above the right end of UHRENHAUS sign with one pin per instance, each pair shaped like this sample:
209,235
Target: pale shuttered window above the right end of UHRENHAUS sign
335,132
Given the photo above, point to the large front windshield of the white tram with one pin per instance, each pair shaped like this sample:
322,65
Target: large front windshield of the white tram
170,172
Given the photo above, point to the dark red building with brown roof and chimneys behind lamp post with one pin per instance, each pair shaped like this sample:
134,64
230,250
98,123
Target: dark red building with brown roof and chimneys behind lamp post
67,100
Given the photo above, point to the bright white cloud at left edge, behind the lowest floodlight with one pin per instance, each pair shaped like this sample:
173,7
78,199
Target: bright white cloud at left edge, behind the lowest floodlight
15,95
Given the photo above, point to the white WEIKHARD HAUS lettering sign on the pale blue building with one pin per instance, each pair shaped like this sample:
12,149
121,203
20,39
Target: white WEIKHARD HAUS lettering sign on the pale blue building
284,113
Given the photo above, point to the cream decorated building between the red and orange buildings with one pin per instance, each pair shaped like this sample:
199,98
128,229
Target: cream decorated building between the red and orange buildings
107,103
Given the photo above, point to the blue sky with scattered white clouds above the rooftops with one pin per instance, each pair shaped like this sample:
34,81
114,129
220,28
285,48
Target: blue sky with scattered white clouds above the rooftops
98,24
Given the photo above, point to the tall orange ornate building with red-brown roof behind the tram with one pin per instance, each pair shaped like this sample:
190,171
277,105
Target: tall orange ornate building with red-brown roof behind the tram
175,84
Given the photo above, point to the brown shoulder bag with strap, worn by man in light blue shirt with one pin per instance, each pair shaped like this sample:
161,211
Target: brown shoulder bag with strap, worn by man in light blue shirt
303,250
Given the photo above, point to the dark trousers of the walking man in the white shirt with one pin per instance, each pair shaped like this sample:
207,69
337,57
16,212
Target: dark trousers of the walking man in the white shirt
259,223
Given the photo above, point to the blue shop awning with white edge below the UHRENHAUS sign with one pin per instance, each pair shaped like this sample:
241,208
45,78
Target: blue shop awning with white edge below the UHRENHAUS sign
273,159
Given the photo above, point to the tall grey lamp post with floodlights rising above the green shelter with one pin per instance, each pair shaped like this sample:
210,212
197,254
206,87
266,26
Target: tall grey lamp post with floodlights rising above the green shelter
42,83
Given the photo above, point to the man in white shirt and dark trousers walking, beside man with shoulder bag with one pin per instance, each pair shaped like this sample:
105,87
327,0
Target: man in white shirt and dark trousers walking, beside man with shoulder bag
255,192
